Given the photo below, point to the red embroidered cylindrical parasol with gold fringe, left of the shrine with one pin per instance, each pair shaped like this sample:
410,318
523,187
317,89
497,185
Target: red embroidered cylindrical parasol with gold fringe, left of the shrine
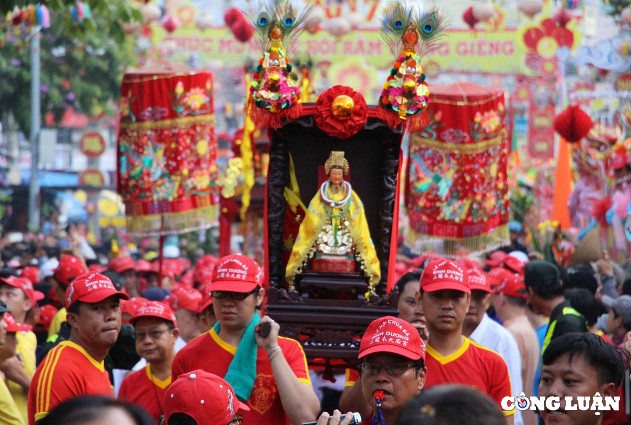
166,152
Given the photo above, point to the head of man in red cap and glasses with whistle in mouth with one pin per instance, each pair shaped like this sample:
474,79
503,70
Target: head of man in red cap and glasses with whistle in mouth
392,367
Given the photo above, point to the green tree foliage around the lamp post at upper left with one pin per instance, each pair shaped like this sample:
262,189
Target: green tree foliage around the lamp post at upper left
84,72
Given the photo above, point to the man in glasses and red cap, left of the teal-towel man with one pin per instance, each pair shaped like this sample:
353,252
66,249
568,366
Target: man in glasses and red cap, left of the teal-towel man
156,333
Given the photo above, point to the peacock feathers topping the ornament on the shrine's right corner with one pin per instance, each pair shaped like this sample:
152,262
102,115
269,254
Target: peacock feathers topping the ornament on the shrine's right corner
411,29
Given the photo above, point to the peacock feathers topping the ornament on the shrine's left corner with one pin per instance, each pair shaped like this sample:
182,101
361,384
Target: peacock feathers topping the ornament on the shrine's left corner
276,23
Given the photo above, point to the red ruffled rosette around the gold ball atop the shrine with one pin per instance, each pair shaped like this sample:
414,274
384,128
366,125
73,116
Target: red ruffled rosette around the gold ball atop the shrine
342,129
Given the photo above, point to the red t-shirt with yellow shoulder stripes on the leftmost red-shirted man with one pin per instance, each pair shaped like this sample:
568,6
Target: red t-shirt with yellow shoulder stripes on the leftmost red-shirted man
66,372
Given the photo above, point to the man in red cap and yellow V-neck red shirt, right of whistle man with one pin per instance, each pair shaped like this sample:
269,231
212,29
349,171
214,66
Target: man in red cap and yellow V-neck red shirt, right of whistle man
451,357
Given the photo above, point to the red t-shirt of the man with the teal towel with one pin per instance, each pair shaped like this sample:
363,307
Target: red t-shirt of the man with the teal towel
210,353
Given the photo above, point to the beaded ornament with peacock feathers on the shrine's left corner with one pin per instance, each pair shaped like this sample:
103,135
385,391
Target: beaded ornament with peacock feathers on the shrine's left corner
275,89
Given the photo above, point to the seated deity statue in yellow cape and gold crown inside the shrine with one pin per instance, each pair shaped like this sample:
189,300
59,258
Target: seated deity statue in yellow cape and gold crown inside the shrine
334,234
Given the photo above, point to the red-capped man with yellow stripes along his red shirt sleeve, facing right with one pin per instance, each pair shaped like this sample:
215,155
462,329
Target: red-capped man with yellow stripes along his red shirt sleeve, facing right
75,367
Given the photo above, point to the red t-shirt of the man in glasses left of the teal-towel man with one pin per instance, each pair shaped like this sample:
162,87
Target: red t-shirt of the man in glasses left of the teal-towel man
142,388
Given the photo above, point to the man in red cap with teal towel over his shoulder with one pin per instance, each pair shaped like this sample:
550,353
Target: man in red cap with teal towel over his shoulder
267,372
